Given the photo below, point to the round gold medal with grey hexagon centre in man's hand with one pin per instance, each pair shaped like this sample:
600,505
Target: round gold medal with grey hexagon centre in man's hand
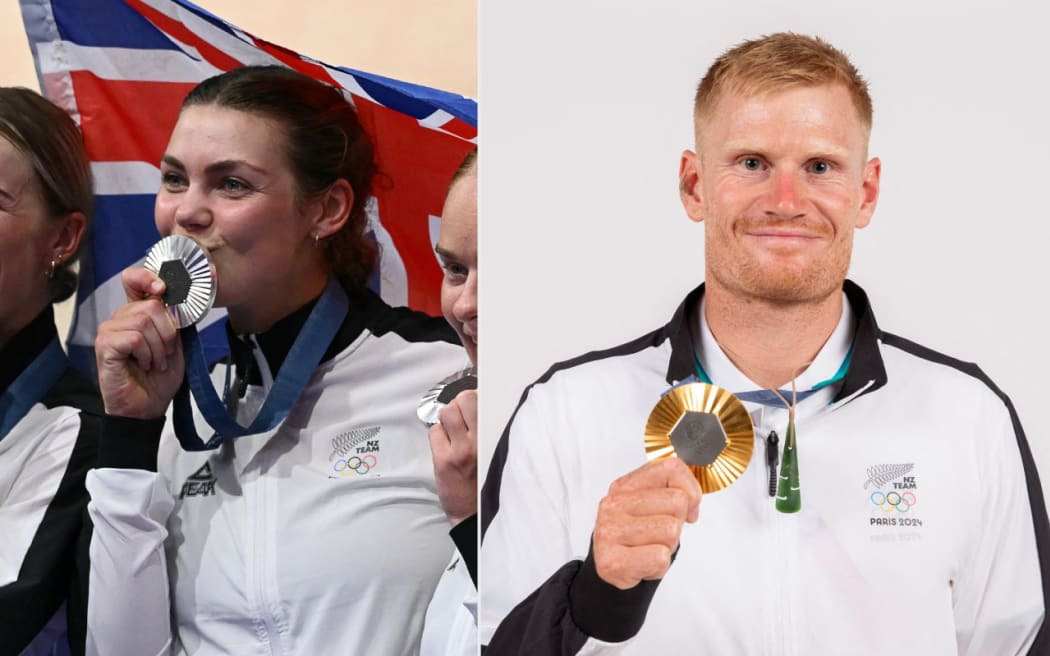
707,428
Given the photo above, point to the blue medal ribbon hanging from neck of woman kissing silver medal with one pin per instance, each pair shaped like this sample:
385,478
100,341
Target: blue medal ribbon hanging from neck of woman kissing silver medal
307,352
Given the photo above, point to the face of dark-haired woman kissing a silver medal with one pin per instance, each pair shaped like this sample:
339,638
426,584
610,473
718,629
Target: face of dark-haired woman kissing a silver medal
227,184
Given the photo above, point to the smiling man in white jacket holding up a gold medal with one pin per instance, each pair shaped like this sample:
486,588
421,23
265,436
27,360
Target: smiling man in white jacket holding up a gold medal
862,494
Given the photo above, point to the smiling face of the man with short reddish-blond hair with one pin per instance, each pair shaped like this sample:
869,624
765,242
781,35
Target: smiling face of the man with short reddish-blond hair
783,183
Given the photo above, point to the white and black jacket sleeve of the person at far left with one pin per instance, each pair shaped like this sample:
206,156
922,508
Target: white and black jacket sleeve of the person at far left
52,483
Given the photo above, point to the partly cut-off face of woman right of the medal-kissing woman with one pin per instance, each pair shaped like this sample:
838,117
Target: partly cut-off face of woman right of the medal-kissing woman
458,252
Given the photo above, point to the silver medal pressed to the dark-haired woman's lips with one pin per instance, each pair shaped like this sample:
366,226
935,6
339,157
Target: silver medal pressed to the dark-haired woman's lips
186,271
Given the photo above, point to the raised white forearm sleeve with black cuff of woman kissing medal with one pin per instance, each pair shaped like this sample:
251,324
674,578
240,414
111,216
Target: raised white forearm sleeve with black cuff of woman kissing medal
129,596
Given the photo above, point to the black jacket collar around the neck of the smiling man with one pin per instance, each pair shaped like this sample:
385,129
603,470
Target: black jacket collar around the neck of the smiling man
867,371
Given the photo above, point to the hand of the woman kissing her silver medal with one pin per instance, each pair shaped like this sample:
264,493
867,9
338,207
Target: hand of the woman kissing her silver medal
139,353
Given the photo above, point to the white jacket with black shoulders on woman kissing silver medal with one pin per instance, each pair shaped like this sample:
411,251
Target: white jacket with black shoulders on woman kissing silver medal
324,536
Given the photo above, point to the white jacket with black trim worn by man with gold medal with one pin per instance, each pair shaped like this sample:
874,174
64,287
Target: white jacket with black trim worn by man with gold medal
923,528
